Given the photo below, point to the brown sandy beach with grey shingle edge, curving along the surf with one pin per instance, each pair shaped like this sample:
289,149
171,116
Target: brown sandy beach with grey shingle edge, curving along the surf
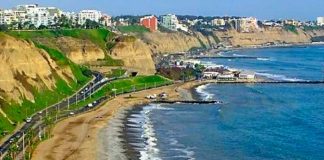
81,137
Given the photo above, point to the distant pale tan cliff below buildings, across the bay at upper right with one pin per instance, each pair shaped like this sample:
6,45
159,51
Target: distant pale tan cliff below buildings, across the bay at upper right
270,35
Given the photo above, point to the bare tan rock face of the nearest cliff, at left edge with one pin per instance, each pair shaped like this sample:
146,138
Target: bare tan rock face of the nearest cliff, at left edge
24,68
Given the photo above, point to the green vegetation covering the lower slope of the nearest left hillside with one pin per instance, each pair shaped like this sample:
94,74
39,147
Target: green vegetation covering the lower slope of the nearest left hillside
43,98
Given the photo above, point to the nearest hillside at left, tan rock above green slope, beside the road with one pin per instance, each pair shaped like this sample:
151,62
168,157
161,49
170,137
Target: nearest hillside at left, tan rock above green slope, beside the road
31,77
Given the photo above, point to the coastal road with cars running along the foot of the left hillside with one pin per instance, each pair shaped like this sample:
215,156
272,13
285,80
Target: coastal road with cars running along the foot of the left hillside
36,120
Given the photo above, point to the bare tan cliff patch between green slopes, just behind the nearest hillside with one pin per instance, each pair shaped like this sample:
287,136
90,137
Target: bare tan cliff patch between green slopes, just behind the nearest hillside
78,50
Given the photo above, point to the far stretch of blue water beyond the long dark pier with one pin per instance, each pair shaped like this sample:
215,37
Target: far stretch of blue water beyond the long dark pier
299,63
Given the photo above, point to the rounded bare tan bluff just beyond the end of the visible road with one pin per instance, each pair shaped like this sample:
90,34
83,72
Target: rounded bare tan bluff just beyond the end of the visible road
136,55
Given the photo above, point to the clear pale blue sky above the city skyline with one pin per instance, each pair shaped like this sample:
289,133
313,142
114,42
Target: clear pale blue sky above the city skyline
262,9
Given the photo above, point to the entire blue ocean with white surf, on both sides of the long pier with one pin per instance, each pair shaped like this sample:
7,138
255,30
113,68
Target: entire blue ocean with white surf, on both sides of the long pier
256,121
